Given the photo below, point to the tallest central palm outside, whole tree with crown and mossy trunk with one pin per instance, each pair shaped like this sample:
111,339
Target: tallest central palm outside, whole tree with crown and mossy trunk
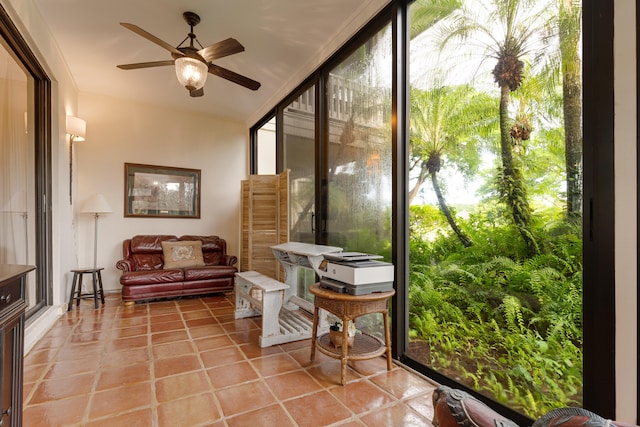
507,31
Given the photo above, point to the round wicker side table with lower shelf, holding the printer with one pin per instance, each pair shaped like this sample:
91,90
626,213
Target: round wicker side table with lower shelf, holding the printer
348,307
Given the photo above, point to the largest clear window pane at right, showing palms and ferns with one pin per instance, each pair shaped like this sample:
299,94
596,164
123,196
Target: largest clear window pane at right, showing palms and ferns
495,193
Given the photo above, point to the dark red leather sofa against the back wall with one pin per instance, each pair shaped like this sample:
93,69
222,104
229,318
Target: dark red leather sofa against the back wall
145,276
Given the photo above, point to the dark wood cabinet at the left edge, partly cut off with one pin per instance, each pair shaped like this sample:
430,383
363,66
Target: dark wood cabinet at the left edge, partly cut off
12,308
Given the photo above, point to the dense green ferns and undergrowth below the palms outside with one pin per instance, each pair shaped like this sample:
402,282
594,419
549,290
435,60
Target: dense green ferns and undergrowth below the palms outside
503,323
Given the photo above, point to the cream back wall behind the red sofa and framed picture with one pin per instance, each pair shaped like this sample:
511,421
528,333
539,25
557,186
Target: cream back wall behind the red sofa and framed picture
120,132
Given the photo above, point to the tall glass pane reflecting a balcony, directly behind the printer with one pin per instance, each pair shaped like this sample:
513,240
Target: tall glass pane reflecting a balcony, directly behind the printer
358,148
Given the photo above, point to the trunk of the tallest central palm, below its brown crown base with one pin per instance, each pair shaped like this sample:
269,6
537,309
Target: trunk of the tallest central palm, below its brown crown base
512,188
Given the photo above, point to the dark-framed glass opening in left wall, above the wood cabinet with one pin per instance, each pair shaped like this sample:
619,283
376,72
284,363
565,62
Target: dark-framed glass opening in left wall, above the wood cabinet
24,162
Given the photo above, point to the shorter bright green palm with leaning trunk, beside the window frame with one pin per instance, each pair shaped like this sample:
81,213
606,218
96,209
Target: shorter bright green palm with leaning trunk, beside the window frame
445,122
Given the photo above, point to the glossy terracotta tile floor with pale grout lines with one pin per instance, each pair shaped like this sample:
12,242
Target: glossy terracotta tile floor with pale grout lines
189,363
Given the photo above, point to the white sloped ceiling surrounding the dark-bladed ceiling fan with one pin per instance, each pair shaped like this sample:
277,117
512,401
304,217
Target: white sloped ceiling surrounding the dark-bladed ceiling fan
284,40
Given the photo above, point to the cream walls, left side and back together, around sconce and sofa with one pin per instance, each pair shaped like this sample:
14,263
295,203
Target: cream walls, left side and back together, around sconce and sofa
118,132
